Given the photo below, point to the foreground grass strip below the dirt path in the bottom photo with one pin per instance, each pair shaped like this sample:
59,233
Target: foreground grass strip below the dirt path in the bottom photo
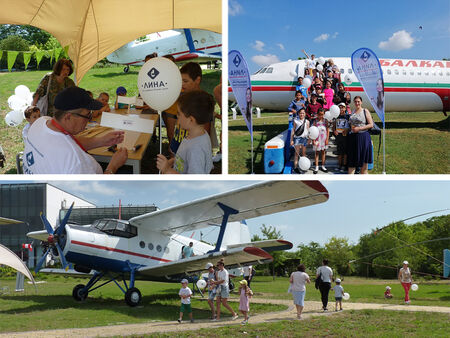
365,323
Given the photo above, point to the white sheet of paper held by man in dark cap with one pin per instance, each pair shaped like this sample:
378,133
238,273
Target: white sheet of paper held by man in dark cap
131,122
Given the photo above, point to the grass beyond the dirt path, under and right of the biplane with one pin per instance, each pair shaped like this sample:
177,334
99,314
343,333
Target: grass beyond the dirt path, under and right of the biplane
52,306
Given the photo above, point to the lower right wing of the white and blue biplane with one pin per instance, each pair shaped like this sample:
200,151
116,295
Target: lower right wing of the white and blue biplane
233,258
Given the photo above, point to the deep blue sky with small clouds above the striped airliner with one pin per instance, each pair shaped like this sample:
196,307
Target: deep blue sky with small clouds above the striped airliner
266,31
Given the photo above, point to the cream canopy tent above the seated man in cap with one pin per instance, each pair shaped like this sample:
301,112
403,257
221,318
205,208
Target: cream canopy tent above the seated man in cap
94,29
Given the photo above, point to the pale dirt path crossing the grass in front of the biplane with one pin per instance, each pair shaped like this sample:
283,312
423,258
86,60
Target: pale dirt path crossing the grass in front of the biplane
312,308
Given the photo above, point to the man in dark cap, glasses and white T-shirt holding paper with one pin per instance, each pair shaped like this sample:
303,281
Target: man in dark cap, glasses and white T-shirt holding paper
52,146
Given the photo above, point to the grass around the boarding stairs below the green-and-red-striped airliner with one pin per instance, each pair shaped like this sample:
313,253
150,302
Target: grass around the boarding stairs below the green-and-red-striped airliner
416,143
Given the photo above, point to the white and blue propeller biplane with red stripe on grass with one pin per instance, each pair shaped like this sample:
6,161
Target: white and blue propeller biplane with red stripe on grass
148,247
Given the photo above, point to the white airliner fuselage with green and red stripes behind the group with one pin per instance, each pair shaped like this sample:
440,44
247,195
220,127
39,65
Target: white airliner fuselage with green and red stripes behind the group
409,85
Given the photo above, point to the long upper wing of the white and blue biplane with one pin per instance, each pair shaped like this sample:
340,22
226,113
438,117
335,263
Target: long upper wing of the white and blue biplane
251,201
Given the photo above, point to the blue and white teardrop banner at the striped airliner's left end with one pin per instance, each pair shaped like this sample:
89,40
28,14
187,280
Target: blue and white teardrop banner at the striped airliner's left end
239,79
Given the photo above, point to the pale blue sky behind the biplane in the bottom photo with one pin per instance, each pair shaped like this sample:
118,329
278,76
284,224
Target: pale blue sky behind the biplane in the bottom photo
354,208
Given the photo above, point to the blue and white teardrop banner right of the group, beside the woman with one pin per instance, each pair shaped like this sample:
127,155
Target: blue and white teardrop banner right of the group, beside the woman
367,68
